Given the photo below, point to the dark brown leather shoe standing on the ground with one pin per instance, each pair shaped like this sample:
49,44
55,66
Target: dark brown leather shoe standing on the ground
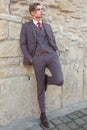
44,122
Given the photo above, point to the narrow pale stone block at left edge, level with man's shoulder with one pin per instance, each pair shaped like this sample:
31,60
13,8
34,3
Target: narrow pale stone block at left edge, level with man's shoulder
3,29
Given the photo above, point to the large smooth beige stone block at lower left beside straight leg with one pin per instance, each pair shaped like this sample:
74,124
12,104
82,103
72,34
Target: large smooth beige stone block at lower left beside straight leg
18,99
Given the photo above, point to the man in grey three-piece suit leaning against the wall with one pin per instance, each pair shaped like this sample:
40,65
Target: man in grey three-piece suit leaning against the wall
40,50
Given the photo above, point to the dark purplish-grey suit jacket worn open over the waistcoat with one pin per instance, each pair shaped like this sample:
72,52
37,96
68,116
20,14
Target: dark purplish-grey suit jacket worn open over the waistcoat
28,40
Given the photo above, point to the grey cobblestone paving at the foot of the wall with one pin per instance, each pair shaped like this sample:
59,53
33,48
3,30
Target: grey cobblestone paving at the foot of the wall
73,121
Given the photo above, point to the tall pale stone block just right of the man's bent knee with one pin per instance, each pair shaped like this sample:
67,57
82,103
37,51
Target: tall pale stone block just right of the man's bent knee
73,87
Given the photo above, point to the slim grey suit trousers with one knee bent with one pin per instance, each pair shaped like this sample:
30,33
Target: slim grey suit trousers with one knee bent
40,63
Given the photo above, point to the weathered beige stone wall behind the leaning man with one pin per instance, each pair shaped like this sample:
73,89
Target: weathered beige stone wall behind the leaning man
18,97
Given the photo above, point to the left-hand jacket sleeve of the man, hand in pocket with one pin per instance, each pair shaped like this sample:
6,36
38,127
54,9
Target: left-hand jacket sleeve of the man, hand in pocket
23,42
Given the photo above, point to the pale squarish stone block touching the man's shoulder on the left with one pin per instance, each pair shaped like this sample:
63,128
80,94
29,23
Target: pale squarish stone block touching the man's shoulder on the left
14,30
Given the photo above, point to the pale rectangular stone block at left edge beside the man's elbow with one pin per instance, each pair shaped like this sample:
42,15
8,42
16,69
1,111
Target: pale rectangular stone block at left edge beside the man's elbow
10,49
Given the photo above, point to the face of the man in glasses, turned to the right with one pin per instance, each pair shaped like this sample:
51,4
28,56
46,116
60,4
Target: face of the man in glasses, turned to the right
38,12
